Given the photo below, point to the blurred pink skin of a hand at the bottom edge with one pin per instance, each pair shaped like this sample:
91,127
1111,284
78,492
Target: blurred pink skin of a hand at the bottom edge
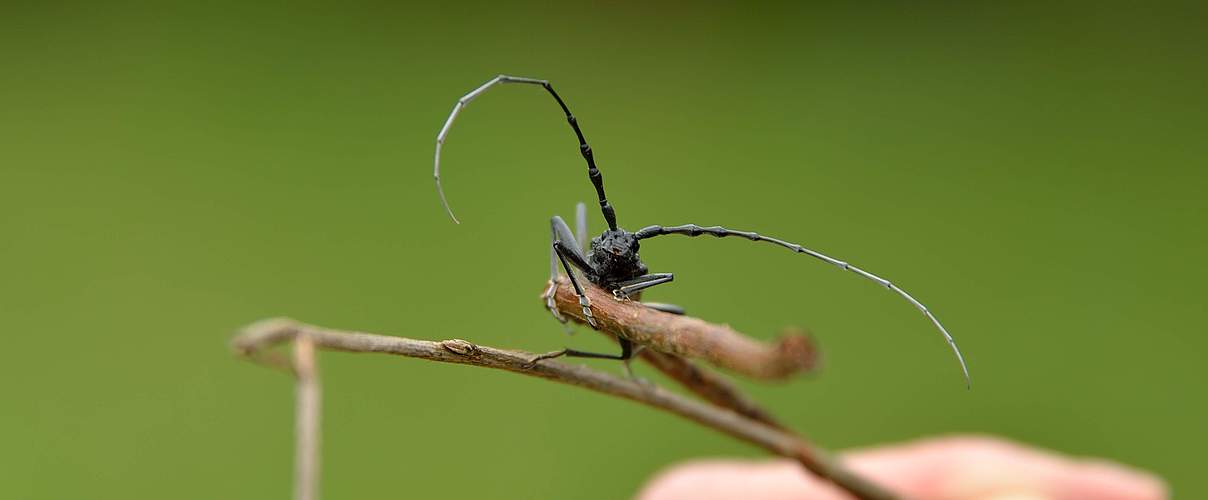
962,468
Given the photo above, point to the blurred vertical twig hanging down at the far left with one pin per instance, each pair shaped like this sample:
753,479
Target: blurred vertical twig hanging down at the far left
306,460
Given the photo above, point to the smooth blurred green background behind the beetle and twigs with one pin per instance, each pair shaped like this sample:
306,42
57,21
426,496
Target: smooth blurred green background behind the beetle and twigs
170,173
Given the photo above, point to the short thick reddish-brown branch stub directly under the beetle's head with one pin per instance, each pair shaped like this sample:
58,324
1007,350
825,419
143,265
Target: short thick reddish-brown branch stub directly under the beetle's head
690,338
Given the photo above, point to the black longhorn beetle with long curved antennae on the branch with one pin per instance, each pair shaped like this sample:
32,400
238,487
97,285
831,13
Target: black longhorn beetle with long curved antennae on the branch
612,261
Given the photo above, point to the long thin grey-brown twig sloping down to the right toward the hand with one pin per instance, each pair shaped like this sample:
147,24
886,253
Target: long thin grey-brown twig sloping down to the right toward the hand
257,339
